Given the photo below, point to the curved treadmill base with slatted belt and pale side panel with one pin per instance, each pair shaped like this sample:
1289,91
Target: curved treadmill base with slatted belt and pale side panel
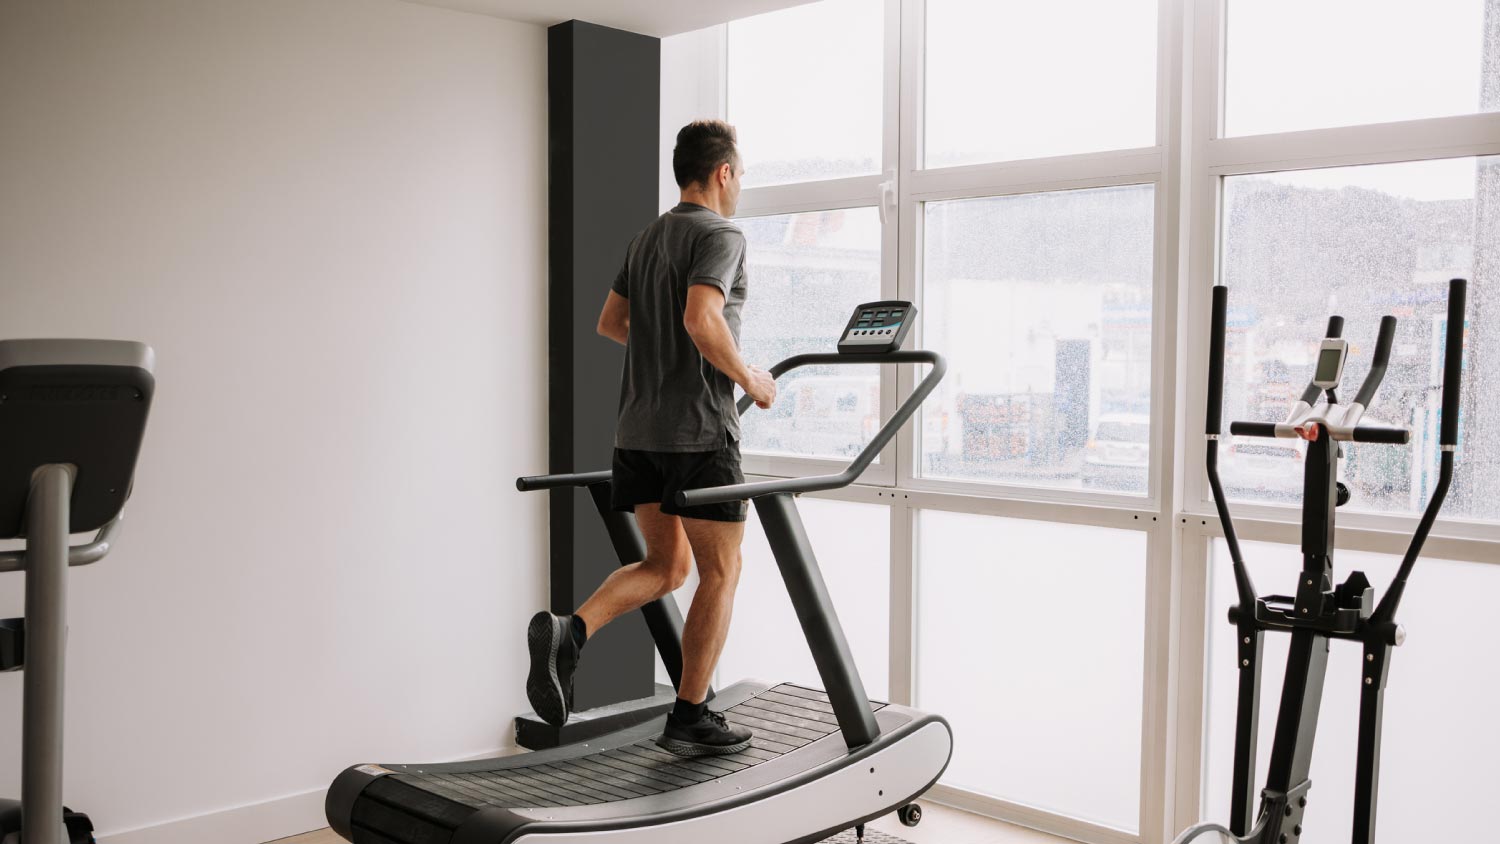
625,789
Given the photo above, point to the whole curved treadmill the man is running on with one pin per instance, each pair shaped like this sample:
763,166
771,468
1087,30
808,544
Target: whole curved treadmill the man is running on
821,761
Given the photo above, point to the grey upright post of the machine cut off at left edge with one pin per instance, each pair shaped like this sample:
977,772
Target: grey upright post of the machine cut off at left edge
46,641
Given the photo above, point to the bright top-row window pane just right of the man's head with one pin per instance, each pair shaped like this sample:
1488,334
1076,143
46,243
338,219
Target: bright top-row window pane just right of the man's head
806,91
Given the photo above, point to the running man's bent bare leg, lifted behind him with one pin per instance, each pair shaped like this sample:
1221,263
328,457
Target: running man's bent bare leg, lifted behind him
632,587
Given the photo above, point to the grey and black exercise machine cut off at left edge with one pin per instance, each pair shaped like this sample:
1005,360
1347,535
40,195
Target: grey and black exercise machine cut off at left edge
73,415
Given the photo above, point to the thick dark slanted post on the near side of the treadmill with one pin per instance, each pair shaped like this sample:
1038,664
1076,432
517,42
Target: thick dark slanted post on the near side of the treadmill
815,611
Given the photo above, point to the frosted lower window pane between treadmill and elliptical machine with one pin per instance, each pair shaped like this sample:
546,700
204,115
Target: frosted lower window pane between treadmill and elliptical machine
1030,641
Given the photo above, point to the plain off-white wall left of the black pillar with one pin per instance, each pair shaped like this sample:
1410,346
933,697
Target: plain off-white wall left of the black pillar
329,221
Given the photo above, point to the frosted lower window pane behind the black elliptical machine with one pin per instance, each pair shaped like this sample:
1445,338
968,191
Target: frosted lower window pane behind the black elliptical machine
1439,743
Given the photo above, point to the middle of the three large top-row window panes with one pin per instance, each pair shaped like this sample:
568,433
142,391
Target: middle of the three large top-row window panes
1031,80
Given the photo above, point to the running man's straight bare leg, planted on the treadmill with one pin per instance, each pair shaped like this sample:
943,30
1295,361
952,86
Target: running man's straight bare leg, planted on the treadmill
716,548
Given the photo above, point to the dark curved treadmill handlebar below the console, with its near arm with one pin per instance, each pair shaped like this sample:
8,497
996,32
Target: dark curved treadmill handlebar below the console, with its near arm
755,489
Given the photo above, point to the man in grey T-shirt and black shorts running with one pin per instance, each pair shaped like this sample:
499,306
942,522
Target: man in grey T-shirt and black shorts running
676,308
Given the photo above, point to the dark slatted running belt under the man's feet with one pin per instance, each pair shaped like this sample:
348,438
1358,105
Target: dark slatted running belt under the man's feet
782,719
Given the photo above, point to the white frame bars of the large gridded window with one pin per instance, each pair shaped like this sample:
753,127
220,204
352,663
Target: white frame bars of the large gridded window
1186,169
